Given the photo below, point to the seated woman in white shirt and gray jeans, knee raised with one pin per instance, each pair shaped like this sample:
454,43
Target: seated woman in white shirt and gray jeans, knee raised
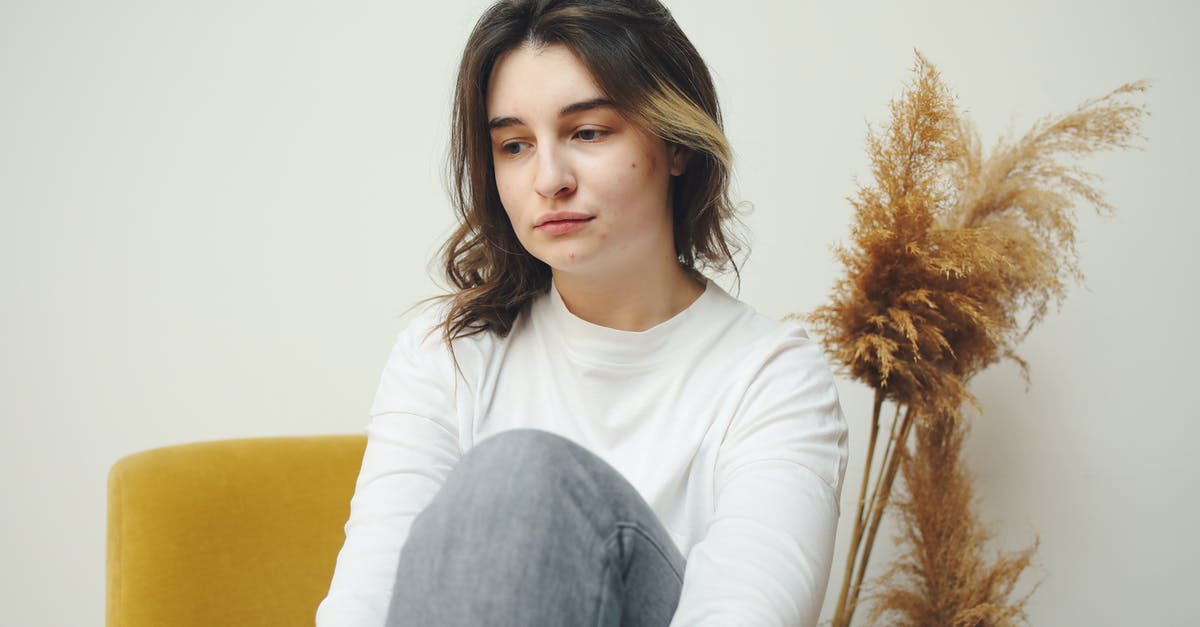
589,432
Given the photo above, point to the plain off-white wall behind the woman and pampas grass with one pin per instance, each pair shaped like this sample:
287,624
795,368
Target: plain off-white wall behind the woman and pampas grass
212,216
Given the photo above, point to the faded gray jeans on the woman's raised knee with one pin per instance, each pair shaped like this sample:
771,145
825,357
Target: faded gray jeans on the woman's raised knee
533,530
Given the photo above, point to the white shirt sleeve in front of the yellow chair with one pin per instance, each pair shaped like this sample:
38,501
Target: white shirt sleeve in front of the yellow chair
412,446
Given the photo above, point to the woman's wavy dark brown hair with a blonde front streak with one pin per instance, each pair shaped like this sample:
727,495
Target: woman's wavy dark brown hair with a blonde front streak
645,64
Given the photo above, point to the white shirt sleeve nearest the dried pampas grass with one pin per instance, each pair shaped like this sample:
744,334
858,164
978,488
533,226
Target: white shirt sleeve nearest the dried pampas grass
767,552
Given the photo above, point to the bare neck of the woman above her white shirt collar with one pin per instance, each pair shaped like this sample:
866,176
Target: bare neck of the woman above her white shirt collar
631,303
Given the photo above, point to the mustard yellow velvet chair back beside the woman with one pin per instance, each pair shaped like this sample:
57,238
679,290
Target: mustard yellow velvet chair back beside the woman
227,534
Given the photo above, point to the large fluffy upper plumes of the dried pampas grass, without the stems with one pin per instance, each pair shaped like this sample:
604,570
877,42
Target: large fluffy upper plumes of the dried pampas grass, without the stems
956,258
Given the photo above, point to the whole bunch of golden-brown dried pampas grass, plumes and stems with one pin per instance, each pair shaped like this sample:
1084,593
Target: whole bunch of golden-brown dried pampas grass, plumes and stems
953,259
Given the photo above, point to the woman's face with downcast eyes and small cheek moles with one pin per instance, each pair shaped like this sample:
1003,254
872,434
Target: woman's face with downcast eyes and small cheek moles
586,192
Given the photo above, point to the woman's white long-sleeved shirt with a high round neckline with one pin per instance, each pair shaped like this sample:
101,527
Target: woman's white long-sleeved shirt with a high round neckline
727,422
